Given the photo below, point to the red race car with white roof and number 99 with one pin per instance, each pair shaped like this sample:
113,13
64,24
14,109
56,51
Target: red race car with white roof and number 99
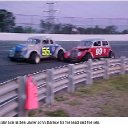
90,49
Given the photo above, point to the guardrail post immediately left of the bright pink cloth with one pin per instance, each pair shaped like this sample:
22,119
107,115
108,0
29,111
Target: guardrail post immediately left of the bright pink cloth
22,112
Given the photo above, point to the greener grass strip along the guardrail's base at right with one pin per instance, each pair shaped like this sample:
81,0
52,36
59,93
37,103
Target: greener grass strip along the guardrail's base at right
117,83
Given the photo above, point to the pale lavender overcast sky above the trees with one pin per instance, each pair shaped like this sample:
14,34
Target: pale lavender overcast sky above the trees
84,9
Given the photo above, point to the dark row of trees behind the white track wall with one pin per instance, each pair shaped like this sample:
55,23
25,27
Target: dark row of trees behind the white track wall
7,24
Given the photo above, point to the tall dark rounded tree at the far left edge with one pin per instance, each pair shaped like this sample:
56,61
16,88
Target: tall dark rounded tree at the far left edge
7,20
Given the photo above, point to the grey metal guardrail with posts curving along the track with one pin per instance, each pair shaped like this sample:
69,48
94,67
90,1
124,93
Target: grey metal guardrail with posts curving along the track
50,81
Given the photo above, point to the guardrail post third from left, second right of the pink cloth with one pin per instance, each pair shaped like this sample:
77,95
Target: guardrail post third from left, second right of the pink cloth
71,85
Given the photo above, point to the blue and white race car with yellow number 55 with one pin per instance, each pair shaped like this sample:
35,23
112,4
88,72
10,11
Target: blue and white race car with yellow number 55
36,48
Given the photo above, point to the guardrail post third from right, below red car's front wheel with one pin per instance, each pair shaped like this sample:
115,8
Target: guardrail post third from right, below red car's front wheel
89,73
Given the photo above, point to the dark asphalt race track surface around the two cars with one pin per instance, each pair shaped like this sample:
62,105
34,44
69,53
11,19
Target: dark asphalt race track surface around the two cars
10,70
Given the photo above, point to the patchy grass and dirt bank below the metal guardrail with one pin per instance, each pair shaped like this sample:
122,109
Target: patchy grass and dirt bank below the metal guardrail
103,98
